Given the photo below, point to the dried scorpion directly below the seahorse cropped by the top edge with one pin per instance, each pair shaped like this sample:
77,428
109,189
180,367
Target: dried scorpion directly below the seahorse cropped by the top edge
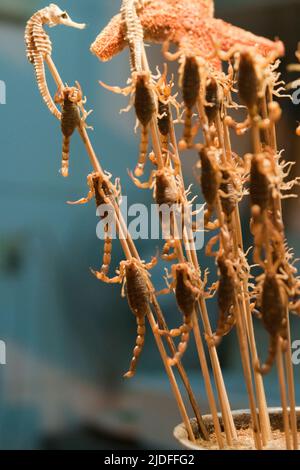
142,92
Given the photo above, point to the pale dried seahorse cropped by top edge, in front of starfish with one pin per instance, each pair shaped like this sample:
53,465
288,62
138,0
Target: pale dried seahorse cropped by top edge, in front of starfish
133,32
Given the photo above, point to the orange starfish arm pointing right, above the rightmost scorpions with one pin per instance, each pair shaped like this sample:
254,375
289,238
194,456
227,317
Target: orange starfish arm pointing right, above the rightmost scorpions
228,36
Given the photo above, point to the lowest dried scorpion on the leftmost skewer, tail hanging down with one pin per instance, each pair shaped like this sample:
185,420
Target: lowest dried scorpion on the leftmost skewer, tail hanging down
133,273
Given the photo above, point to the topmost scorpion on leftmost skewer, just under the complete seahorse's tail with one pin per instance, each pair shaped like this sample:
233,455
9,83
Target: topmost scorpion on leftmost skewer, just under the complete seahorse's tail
71,101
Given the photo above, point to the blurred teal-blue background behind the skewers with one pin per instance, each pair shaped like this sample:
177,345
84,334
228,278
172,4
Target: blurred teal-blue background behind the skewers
69,338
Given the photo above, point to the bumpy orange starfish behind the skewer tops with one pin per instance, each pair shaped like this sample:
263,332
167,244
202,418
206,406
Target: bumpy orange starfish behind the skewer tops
190,24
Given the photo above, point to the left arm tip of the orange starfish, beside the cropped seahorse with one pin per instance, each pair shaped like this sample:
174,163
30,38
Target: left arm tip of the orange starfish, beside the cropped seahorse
111,41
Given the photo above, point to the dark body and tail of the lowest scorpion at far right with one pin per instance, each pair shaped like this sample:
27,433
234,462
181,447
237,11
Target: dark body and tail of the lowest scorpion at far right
273,316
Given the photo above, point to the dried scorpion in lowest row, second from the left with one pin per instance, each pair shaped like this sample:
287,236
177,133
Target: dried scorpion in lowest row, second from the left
188,289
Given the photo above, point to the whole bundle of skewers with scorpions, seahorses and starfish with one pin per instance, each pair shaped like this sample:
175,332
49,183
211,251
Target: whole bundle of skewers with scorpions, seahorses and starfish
218,75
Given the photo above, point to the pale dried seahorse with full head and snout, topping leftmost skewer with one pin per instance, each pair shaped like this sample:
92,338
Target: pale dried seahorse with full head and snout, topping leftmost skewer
38,45
